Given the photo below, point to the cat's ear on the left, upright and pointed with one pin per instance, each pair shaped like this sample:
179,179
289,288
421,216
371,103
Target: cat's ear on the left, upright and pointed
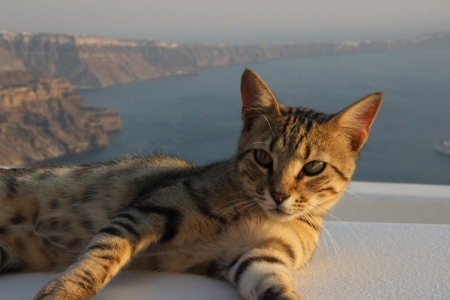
257,99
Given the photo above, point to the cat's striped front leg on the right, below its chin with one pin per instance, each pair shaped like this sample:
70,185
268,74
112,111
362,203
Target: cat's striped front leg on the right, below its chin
263,274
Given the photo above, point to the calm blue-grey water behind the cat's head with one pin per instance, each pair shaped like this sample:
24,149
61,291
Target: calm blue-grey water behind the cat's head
197,117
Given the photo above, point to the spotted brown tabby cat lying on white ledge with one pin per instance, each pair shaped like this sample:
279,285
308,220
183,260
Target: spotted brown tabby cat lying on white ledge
249,220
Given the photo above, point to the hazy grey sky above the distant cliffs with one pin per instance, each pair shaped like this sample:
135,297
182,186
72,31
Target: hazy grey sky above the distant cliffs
229,21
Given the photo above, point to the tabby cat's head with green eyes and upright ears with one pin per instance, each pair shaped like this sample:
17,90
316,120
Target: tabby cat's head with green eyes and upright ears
297,162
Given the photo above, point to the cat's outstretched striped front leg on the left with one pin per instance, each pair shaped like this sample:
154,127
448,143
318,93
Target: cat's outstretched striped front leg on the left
121,238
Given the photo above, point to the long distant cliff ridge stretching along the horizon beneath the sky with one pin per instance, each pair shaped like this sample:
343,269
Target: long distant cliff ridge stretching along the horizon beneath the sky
99,62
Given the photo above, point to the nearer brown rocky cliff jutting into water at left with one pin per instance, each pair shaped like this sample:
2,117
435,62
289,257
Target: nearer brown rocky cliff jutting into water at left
43,117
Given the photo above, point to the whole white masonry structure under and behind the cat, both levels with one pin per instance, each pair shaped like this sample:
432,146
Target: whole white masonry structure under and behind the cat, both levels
393,242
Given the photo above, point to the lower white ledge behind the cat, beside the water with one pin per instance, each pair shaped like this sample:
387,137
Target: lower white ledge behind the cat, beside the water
393,203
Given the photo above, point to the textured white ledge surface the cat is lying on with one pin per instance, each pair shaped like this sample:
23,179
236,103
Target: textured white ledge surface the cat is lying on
354,261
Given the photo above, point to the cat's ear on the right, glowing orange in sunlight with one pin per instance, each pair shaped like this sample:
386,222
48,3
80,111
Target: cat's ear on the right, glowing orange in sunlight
355,121
